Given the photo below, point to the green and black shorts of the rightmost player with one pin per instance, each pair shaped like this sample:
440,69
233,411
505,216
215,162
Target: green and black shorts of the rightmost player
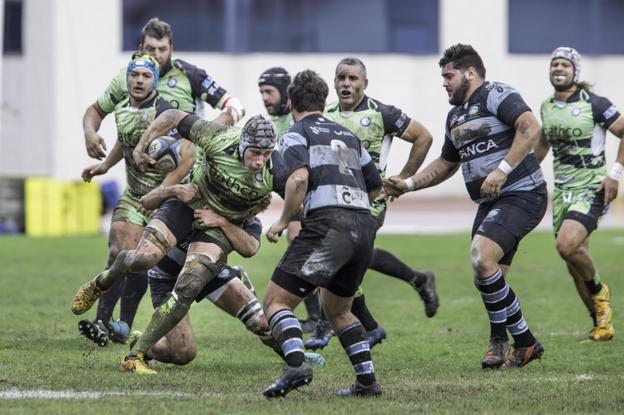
585,206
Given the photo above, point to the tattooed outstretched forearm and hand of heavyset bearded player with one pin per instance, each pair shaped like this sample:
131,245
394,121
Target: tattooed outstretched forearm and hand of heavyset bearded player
435,173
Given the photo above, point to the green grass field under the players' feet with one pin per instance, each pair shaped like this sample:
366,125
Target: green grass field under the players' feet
425,365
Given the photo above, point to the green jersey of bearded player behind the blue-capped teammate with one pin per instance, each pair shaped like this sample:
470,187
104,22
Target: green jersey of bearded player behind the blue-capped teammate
181,85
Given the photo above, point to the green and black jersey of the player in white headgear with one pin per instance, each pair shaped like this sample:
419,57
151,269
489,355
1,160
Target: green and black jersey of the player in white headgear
576,131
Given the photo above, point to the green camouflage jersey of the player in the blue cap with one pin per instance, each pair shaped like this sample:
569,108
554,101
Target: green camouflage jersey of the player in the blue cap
131,123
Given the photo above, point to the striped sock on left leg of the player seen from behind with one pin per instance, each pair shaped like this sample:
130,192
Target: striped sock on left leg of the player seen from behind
287,332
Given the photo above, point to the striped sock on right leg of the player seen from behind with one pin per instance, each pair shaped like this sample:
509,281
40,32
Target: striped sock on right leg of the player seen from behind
354,342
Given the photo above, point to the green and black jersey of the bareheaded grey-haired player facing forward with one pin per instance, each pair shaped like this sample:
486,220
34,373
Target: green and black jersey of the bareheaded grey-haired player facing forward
374,124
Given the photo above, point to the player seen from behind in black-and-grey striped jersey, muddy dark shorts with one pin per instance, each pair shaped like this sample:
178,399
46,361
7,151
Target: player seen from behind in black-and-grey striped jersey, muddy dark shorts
333,176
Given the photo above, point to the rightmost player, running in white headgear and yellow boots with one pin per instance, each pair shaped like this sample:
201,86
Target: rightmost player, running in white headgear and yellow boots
574,123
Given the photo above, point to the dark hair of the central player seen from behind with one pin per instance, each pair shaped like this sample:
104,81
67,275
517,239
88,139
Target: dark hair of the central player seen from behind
308,92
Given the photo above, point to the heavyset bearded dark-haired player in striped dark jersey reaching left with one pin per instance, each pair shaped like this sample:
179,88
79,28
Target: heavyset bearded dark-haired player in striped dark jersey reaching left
490,133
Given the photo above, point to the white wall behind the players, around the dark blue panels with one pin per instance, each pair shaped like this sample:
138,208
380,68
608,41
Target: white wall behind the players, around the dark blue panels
72,52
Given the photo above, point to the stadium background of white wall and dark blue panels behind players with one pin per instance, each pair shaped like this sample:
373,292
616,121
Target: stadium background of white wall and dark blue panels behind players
59,55
